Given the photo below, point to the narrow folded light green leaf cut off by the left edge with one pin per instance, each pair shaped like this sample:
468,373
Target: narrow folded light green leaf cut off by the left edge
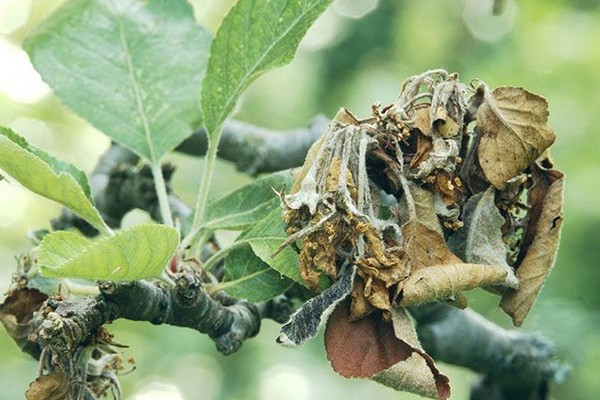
47,176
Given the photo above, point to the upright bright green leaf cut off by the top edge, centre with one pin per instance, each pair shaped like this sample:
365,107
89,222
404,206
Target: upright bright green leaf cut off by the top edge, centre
255,36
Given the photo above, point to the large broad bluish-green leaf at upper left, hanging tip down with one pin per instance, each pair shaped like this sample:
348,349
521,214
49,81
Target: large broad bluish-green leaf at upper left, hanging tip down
132,68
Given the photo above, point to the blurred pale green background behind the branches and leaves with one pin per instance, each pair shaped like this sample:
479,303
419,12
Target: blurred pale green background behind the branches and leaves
357,54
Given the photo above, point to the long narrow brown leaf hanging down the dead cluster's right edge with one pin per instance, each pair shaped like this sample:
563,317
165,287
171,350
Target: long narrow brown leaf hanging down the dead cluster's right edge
540,243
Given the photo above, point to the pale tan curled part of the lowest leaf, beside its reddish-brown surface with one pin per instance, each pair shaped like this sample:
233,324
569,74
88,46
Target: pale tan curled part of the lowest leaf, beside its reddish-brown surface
417,374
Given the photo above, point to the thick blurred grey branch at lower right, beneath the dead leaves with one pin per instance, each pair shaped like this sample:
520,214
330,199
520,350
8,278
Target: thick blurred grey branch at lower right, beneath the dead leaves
514,365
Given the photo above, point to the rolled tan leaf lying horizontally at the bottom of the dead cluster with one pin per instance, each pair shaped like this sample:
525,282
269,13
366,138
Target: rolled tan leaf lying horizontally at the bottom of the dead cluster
444,281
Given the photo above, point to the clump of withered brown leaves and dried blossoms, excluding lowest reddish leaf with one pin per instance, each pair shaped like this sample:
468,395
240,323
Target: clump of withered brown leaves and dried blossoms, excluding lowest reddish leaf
448,188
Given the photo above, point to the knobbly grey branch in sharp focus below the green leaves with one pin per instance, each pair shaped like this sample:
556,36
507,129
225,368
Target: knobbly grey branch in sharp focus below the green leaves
186,304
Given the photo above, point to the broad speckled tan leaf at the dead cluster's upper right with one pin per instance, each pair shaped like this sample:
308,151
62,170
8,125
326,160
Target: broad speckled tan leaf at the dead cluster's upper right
514,132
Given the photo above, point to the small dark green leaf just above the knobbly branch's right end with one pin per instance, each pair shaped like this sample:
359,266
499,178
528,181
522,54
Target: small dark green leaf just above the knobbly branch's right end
248,277
